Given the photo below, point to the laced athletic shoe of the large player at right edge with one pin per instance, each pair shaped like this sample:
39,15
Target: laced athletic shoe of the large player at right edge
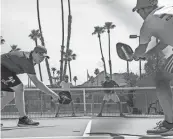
162,127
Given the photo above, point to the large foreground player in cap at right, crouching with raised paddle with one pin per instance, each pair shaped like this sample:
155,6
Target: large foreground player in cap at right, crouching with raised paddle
158,23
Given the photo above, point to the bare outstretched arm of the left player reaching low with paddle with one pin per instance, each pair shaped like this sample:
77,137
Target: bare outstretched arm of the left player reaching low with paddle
42,87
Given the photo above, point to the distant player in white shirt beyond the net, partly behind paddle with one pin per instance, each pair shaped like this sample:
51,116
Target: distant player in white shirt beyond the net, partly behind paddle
65,85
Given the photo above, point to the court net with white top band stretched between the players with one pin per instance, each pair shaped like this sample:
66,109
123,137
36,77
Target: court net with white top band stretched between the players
134,101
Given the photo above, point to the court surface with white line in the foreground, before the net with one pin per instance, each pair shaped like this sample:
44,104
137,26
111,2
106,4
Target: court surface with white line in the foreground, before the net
83,128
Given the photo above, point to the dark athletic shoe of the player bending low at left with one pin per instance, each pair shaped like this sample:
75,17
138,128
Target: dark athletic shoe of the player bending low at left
25,121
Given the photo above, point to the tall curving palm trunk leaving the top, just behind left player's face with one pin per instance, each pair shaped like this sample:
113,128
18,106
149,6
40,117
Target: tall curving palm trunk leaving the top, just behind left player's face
42,42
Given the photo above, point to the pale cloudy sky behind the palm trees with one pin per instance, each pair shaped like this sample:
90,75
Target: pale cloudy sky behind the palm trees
19,17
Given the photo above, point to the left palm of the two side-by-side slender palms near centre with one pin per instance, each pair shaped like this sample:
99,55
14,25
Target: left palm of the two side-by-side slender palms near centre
99,30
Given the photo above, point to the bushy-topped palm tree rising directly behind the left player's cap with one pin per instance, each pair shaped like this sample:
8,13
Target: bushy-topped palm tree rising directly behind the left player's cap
35,34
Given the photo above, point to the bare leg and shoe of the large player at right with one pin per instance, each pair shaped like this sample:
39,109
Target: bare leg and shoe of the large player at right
164,94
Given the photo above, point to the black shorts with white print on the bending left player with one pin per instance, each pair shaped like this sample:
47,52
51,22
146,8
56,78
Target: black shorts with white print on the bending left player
8,79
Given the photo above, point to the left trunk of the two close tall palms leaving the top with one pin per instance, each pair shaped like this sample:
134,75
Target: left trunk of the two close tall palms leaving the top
62,45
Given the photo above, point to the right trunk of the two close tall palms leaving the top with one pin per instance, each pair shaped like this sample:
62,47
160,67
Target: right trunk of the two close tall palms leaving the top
68,36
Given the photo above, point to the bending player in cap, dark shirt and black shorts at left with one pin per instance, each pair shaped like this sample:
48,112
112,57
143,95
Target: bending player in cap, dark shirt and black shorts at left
19,62
